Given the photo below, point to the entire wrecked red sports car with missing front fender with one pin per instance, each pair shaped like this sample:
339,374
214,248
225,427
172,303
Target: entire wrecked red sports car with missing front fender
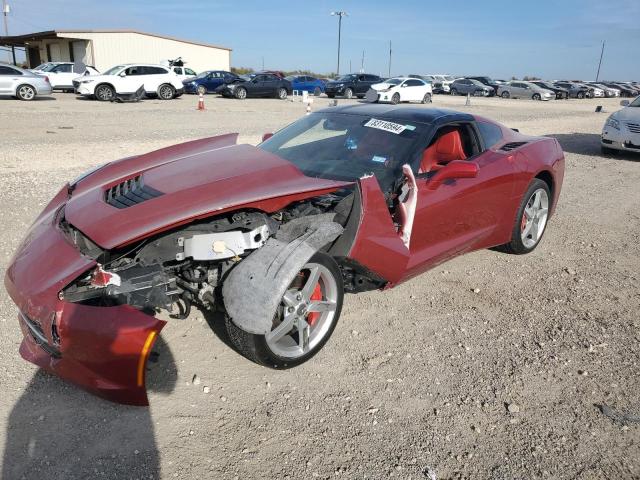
347,199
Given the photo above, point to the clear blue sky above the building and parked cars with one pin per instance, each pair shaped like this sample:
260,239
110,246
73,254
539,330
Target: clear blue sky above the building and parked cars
558,39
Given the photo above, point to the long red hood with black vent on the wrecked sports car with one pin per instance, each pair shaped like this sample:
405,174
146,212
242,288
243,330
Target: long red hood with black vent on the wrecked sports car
193,180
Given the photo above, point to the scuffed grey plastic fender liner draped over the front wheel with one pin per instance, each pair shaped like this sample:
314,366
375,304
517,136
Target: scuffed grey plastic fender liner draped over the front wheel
254,288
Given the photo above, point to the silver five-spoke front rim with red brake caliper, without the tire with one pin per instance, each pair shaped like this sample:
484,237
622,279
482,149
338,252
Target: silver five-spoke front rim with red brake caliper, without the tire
306,313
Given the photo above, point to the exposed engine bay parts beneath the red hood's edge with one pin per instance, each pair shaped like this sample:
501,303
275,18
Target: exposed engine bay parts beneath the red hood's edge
188,266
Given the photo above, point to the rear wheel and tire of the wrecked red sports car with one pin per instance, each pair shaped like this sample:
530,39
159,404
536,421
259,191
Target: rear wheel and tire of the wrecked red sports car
531,220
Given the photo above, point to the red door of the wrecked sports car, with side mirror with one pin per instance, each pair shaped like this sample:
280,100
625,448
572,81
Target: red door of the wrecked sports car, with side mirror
463,214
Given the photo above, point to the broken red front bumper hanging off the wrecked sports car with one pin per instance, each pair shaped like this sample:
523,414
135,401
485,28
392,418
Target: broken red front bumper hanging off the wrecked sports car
102,349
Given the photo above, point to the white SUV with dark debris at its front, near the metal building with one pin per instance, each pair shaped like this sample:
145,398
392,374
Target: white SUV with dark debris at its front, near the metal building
127,79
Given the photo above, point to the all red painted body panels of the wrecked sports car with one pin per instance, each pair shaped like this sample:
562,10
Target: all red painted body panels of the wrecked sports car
100,347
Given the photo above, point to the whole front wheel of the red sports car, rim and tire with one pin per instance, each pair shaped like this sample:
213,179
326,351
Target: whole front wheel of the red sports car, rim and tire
306,317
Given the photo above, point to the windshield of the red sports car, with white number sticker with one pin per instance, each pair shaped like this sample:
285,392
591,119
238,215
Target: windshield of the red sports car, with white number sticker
340,146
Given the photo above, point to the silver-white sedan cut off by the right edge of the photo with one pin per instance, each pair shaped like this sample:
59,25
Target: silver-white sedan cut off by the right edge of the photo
621,131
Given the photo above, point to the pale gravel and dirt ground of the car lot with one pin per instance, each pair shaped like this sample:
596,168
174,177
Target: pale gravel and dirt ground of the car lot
414,381
